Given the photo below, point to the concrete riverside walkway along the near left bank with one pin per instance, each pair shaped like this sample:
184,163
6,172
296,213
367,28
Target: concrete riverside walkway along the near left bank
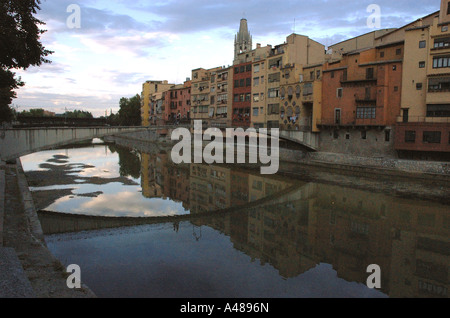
27,268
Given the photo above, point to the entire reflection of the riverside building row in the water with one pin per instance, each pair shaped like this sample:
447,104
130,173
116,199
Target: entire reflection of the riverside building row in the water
318,223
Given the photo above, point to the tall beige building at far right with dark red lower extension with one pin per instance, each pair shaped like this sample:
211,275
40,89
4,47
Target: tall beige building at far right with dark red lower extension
423,127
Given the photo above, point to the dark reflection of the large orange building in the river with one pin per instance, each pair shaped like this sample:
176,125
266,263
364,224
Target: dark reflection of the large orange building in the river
353,232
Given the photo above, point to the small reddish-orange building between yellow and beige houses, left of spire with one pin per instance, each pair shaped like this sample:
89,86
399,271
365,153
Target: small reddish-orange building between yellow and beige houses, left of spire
177,103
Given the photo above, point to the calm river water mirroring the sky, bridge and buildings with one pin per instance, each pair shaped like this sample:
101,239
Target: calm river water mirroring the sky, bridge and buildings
240,234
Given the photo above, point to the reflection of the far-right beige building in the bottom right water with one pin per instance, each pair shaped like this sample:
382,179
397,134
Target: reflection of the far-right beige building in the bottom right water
420,250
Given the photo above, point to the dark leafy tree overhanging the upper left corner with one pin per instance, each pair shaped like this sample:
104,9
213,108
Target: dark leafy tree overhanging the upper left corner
20,47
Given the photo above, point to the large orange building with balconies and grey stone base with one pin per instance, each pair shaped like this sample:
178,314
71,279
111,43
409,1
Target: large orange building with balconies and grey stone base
361,101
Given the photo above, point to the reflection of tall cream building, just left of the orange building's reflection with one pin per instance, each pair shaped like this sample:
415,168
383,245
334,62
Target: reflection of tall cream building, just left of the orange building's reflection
279,234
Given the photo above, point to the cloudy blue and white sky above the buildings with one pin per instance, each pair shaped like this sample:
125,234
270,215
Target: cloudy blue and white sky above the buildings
120,44
